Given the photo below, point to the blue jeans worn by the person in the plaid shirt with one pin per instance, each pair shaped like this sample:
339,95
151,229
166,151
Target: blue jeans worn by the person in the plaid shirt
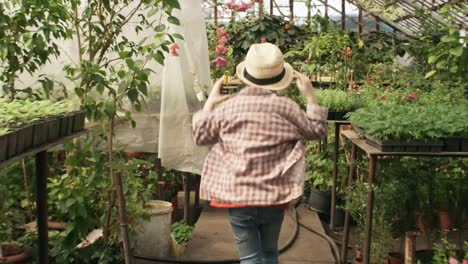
256,231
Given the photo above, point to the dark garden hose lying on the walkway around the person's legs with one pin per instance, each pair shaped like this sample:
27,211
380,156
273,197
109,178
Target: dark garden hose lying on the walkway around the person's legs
283,248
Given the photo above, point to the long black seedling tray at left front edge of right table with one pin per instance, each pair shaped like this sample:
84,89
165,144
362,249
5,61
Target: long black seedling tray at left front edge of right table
402,146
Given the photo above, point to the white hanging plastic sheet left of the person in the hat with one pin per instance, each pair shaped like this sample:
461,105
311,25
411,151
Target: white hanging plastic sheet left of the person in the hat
185,79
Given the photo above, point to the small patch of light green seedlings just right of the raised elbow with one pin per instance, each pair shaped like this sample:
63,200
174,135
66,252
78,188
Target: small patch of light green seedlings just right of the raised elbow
338,100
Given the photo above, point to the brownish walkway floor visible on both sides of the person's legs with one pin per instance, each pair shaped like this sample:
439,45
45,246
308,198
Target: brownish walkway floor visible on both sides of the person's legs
212,239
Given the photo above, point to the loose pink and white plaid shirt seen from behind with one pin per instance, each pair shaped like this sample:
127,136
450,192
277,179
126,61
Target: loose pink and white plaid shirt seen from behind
258,149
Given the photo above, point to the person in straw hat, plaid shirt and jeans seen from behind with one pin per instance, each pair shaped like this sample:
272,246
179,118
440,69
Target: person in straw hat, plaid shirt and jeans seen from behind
256,165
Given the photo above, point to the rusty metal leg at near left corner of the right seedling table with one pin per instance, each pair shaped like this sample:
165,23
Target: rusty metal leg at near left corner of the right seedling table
370,207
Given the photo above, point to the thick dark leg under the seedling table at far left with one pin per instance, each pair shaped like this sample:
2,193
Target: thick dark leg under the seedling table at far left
41,201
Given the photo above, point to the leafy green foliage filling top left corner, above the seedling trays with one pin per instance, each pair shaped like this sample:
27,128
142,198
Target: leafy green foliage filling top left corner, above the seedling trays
29,30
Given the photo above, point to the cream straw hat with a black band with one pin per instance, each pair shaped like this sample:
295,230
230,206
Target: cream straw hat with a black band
264,67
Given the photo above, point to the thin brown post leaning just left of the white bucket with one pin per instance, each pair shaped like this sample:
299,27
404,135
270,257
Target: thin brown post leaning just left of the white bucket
122,217
